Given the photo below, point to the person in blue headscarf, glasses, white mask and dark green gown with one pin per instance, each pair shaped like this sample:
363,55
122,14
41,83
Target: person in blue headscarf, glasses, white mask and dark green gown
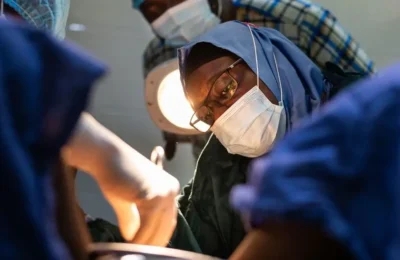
249,86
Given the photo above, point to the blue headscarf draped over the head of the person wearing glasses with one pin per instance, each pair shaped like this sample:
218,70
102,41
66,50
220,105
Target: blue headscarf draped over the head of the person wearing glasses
302,80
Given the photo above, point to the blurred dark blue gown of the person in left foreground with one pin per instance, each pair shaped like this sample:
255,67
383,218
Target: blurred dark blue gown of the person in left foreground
44,86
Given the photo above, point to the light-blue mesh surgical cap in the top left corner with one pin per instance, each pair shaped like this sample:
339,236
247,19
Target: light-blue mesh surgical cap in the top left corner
50,15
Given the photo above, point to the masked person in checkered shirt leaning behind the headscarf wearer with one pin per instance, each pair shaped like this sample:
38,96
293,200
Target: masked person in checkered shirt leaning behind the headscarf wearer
314,29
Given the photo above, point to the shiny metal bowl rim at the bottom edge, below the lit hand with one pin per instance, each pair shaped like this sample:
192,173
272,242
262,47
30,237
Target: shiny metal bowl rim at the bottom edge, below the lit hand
121,251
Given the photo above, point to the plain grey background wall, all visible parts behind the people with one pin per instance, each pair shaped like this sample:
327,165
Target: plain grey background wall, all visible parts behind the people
118,35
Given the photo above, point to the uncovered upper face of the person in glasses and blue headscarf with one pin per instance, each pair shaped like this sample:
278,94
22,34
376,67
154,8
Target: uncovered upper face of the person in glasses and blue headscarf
217,85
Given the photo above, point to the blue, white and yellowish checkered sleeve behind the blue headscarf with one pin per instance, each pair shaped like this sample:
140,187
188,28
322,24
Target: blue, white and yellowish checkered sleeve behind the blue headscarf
314,29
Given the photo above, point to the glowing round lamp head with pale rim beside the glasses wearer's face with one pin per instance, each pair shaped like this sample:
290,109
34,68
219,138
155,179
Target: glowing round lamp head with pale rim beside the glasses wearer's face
165,97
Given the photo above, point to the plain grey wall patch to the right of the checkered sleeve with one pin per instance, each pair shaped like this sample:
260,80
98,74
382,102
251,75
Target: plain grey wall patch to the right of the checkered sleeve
375,24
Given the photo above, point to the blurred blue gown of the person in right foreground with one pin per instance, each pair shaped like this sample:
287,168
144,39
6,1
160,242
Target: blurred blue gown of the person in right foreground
340,170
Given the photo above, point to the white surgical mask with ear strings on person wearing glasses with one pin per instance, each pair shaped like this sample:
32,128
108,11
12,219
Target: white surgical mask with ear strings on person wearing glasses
251,125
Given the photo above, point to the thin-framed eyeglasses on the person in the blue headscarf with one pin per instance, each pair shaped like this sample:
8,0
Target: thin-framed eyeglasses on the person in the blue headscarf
206,101
